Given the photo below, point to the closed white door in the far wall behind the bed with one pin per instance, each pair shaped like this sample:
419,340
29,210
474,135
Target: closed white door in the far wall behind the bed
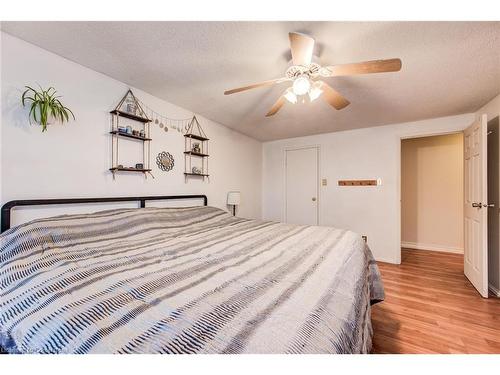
301,202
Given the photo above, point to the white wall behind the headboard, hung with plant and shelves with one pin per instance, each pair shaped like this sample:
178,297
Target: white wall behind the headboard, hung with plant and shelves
73,160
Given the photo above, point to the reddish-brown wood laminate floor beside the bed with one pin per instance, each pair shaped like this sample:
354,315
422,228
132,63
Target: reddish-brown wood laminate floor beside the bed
431,307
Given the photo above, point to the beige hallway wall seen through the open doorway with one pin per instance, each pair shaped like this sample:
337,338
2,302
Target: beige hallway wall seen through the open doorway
432,193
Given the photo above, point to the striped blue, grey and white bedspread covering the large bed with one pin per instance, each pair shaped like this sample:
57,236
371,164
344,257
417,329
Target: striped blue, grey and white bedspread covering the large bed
184,280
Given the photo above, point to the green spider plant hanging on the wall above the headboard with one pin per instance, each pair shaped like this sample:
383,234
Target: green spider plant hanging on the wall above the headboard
46,108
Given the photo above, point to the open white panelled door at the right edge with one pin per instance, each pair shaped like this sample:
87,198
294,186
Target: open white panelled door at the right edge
475,209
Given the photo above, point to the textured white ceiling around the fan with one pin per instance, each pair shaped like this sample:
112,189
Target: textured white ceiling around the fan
448,67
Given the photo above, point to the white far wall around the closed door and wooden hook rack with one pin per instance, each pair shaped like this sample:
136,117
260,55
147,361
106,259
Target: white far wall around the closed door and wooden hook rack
356,154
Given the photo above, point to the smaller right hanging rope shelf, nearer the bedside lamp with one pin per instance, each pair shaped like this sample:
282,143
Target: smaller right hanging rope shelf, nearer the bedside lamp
196,147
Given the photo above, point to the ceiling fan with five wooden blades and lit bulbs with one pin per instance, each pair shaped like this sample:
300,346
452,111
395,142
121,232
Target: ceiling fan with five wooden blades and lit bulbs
305,73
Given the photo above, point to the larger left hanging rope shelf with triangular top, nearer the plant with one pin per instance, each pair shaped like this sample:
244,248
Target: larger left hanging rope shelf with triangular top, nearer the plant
130,109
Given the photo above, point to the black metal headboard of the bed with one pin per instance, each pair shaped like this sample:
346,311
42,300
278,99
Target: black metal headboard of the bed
40,202
